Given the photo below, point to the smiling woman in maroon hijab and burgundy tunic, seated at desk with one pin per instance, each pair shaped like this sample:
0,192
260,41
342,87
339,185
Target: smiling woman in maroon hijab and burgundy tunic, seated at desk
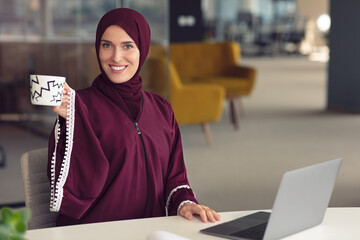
115,151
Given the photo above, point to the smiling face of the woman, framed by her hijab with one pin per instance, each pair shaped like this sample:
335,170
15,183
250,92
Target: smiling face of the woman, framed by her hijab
119,56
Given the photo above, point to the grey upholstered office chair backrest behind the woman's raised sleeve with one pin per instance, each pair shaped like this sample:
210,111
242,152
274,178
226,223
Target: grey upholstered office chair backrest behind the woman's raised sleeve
37,188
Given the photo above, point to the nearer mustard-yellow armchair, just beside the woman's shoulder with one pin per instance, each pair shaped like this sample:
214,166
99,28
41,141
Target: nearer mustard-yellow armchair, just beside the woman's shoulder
192,103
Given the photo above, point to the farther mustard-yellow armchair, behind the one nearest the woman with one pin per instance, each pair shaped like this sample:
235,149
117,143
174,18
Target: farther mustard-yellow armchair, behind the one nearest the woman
215,63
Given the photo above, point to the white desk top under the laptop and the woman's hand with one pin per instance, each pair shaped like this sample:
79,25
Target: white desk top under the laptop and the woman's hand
339,223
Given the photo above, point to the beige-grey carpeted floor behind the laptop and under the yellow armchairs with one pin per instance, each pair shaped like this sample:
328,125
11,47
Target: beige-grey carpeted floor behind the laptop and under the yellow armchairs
285,127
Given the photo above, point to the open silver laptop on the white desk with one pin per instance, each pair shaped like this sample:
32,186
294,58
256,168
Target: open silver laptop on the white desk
300,203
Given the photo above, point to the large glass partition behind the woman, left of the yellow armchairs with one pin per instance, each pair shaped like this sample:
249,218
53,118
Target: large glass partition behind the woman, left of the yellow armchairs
52,37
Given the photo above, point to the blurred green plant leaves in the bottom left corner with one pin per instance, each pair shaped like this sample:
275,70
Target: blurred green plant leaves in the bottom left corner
13,224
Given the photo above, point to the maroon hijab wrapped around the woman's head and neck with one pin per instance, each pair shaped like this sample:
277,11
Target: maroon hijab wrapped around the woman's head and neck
125,95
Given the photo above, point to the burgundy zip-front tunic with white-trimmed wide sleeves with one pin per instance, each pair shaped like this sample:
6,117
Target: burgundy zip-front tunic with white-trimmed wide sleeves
107,163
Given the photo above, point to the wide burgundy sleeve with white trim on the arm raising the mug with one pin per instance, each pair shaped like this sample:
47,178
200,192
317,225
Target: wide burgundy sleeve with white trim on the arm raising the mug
78,168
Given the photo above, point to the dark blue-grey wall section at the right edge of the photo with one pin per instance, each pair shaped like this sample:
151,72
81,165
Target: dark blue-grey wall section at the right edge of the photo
344,64
